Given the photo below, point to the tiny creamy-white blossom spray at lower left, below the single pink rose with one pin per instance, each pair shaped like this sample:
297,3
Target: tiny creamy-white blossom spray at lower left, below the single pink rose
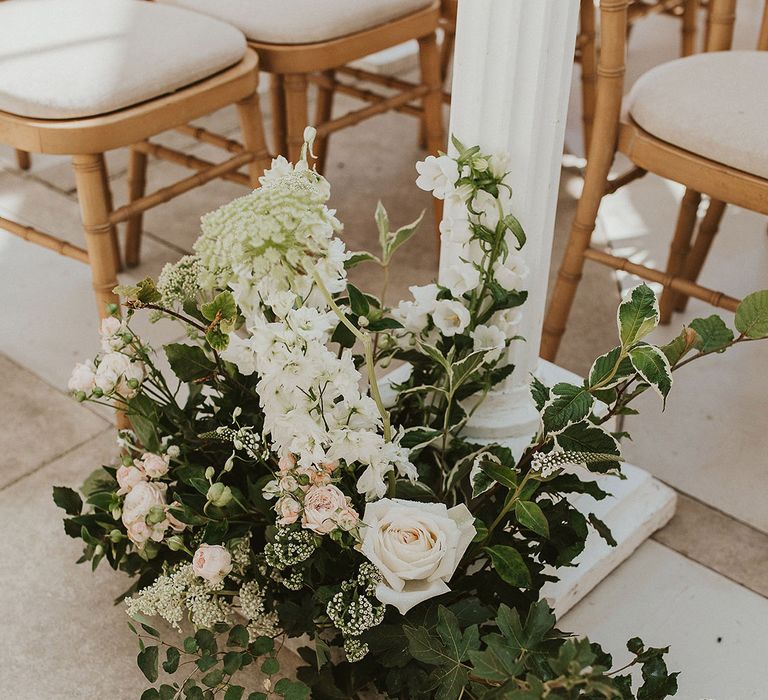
180,591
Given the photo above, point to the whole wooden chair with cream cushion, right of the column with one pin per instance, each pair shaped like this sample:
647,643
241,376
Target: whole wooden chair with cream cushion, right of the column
699,121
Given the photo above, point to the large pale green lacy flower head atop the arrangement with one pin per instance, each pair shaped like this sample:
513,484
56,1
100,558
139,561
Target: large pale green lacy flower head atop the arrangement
263,245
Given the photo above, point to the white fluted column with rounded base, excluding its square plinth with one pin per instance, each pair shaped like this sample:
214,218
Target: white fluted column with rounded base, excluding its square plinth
511,80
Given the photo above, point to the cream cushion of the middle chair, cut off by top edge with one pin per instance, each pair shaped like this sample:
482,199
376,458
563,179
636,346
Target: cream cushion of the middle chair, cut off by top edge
302,21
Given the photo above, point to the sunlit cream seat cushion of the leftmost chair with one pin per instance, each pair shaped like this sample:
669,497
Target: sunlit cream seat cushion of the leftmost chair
62,59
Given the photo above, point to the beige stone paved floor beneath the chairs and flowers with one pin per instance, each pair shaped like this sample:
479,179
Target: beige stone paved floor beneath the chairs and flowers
701,585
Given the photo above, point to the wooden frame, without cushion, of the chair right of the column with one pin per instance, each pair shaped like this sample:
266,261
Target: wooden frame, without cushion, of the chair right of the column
649,154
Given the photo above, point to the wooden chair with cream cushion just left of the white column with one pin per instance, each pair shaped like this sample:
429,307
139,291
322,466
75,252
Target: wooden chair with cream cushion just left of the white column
305,41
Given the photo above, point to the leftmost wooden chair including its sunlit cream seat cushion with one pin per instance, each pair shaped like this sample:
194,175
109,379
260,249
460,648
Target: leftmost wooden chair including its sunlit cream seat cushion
83,77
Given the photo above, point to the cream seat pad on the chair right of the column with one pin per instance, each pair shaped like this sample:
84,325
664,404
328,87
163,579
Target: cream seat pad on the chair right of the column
713,104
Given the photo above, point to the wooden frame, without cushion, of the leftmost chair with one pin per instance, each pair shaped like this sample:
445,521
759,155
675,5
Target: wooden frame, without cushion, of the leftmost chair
87,139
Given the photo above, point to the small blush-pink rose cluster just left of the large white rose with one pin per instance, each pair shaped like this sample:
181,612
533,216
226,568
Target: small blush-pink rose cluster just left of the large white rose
306,492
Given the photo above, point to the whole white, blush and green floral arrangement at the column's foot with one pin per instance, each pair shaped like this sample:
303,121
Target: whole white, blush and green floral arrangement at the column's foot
280,489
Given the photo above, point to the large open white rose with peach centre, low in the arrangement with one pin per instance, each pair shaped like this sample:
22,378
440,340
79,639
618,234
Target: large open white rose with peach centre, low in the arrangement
416,547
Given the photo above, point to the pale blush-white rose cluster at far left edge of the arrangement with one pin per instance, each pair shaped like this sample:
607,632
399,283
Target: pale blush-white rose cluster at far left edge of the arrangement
114,371
